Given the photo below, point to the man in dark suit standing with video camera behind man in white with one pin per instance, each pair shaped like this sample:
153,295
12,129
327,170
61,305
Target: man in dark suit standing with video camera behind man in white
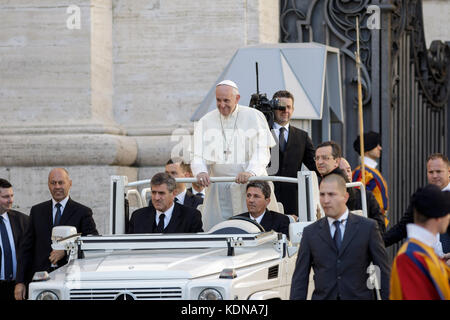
294,148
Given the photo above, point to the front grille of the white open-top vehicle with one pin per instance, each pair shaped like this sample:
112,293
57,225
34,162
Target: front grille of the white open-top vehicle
168,293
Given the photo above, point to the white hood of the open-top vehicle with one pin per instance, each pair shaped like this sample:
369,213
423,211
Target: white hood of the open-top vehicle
164,264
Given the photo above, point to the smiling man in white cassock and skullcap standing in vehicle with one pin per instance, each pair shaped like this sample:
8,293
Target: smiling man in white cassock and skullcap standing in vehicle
232,140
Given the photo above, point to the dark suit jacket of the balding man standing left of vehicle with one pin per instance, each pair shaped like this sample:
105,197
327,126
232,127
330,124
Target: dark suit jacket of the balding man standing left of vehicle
37,243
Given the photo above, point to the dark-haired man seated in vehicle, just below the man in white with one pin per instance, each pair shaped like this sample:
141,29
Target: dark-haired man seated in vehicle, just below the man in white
258,197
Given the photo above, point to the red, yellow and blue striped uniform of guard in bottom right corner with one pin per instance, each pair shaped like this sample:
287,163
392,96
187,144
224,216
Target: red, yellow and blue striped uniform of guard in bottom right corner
418,274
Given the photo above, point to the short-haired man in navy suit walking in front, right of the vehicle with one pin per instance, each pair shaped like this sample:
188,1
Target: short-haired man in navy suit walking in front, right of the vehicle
340,248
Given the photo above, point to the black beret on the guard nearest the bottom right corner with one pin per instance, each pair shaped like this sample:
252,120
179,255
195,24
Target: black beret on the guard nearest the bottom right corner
431,202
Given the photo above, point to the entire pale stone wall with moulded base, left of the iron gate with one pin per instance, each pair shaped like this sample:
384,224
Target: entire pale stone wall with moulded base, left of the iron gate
99,86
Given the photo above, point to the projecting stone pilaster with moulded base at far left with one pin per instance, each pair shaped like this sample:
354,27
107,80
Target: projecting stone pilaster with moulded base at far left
56,102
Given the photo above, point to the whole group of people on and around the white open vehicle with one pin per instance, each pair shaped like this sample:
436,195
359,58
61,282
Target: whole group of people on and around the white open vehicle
234,140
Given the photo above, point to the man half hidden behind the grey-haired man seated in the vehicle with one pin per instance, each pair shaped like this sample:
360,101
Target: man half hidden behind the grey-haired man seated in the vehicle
182,195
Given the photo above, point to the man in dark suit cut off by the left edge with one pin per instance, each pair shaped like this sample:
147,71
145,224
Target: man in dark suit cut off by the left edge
13,225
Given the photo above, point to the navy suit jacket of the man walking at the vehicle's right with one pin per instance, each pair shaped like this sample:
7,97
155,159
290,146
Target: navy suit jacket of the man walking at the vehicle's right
342,273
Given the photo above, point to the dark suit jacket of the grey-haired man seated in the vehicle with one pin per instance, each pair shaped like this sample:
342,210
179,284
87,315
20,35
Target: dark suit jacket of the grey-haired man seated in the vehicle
184,220
